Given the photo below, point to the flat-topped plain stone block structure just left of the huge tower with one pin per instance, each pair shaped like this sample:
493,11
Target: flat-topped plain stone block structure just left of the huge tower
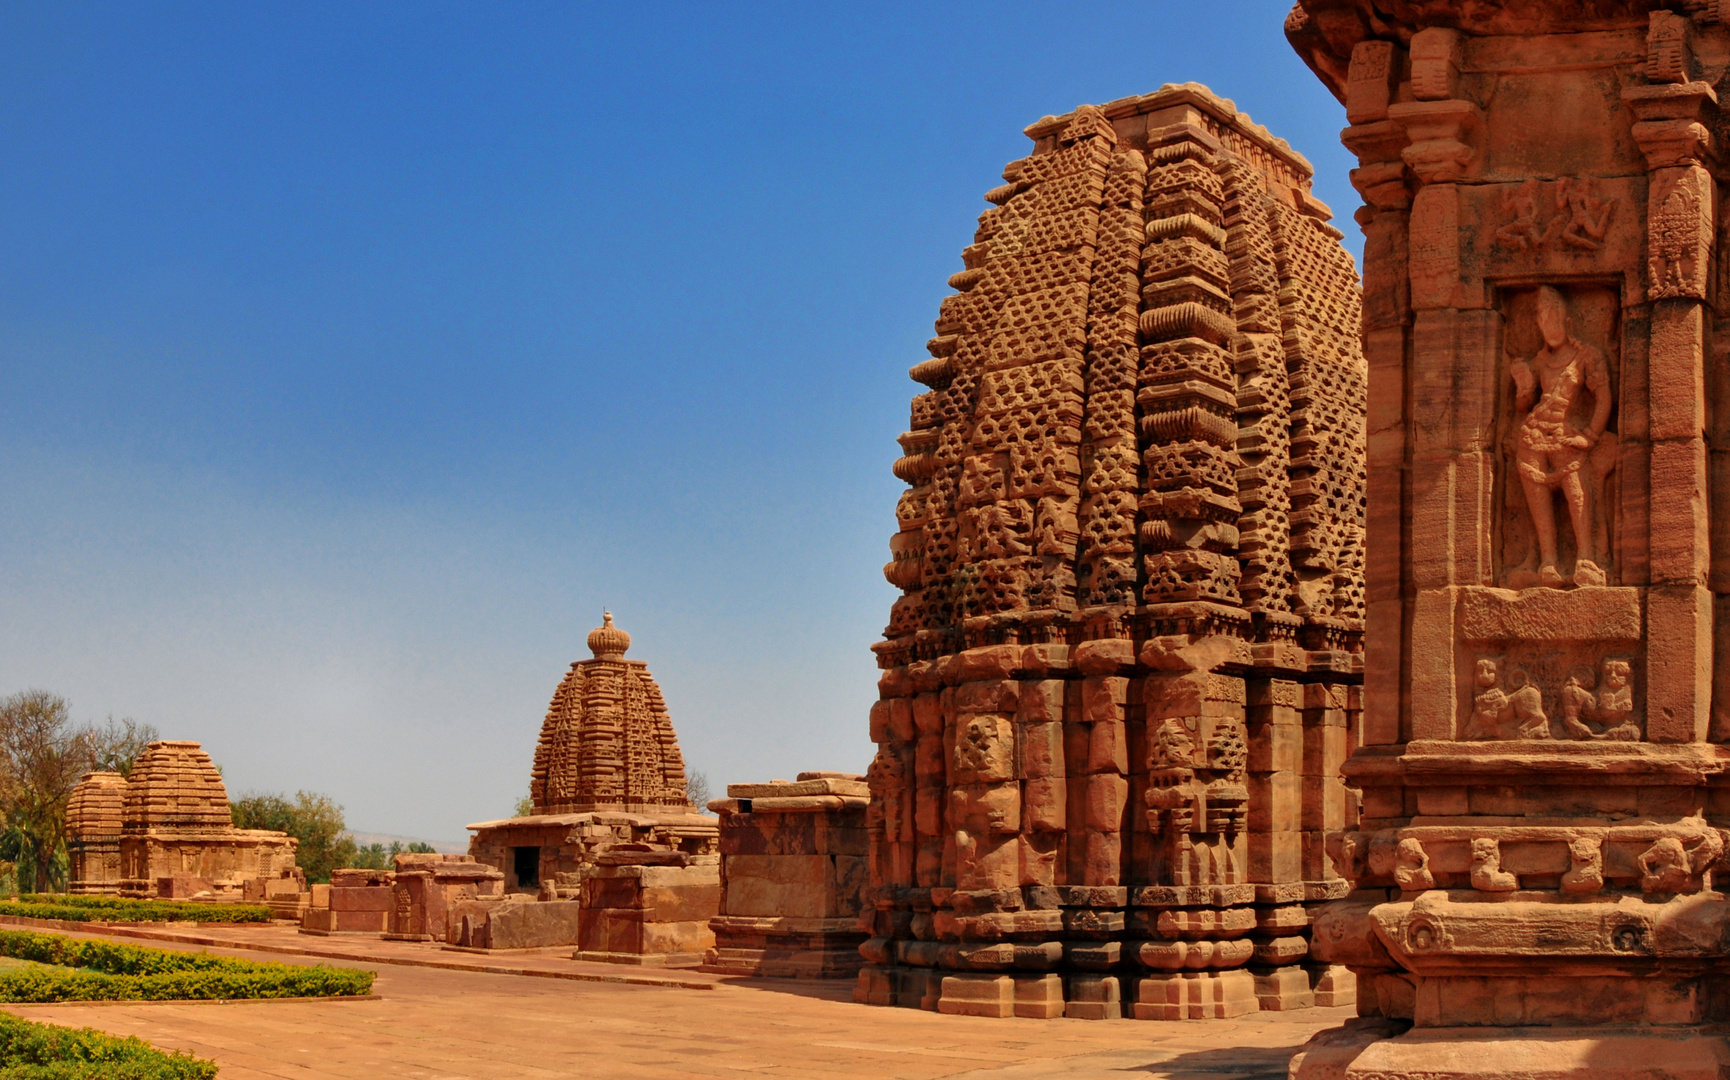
793,878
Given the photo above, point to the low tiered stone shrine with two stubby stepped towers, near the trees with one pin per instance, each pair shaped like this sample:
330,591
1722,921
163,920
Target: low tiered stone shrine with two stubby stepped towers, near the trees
176,835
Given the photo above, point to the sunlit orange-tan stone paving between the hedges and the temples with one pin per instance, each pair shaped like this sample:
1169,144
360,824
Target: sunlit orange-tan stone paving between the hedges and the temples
459,1020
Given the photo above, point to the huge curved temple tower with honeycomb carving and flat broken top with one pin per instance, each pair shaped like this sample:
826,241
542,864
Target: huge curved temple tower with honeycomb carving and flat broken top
1125,671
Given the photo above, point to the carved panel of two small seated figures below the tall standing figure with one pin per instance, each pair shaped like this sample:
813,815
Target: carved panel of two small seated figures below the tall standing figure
1589,712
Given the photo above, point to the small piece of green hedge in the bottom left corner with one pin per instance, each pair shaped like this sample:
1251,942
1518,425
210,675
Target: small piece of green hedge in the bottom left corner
32,1051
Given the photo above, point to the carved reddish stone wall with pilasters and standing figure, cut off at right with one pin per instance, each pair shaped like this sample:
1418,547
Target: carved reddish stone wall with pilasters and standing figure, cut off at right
1549,653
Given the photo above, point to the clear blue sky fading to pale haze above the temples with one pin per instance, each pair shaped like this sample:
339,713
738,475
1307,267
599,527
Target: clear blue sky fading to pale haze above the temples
356,356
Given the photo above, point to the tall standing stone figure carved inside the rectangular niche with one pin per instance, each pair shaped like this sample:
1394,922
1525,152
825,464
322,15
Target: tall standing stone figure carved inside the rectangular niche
1553,447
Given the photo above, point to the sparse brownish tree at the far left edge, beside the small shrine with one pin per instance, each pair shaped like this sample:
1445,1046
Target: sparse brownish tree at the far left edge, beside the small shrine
42,755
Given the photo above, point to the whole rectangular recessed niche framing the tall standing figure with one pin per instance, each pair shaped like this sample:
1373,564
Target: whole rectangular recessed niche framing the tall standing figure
1561,371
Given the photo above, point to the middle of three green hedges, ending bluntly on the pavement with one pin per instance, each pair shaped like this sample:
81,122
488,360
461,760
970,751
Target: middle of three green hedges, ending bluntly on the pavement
91,970
